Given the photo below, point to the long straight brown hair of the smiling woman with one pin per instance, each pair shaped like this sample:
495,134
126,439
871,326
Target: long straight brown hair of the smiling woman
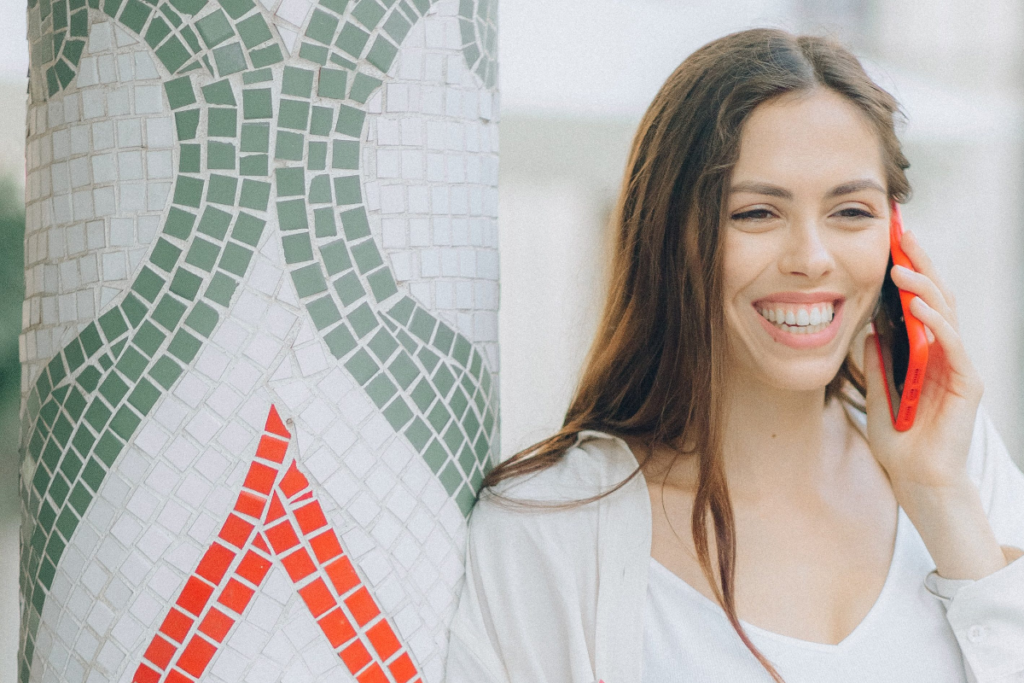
656,368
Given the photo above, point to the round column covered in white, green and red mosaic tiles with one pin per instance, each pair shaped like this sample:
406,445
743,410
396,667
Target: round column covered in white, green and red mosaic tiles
260,335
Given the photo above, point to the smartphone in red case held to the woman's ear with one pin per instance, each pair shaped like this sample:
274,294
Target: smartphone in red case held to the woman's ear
900,336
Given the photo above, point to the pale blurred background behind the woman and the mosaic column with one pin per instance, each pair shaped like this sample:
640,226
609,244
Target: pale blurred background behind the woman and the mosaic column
577,76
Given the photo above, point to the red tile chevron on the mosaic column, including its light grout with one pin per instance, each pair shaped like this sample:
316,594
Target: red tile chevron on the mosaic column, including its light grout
277,519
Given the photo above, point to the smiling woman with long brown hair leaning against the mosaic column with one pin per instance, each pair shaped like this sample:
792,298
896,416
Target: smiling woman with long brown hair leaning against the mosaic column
714,508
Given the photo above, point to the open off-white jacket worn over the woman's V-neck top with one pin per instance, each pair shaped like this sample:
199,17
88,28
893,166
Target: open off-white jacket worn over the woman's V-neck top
558,596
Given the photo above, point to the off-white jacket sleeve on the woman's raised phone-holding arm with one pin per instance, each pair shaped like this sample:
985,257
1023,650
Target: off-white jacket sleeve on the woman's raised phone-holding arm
988,616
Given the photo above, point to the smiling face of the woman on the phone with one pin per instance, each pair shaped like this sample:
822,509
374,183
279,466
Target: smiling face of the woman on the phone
806,239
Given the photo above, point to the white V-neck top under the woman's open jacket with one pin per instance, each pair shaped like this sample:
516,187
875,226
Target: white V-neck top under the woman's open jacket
905,637
